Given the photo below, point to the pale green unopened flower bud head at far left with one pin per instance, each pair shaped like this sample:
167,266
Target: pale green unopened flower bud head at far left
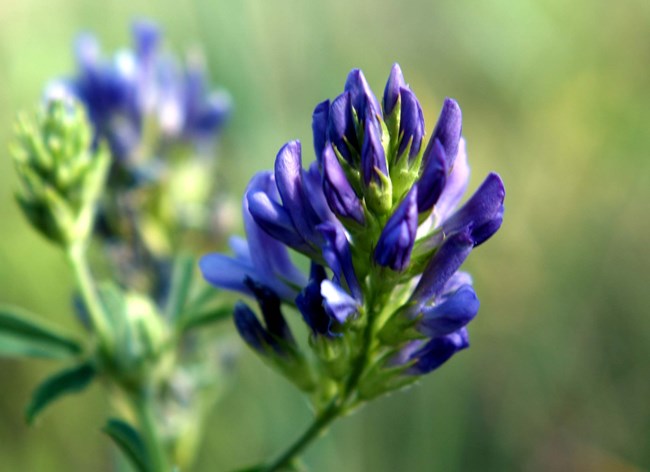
62,178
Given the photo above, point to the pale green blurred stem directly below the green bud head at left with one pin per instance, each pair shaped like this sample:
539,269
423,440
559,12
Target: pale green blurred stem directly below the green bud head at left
76,254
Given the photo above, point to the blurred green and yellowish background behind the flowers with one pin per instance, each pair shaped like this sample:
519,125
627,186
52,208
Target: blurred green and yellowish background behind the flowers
556,97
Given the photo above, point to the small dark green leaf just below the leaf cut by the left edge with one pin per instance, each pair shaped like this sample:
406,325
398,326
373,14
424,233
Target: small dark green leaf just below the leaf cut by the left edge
64,382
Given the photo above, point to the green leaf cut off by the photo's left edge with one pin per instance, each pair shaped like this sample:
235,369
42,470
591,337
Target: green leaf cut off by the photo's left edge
22,334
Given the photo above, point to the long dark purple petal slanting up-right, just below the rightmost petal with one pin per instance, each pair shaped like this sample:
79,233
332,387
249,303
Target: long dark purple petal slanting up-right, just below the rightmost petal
444,263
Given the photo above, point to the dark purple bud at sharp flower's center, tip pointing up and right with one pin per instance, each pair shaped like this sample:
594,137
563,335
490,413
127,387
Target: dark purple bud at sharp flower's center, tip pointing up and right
396,240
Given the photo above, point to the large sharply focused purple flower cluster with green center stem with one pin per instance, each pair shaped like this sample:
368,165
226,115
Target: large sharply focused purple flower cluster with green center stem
376,214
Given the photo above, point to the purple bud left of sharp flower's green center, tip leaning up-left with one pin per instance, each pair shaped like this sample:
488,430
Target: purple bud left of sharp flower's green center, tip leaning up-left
340,195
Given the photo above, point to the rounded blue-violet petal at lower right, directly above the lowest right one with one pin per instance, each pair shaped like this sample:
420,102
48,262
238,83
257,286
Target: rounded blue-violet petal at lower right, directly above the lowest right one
451,314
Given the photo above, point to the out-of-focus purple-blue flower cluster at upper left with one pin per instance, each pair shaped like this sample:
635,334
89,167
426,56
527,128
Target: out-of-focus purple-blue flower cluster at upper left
122,94
